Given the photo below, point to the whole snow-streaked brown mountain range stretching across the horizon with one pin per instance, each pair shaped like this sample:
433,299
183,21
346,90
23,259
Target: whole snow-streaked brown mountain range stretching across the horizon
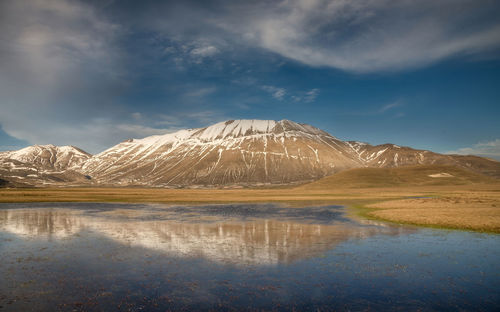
235,152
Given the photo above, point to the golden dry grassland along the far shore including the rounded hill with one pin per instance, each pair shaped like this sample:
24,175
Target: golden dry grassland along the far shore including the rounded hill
437,196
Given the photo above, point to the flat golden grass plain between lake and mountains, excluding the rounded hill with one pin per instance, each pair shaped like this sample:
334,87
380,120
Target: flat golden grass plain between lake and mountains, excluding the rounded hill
470,207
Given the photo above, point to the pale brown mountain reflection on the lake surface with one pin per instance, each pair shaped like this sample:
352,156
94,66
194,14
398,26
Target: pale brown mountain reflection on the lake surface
255,240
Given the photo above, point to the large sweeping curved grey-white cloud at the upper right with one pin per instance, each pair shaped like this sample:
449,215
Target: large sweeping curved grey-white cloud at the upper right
374,35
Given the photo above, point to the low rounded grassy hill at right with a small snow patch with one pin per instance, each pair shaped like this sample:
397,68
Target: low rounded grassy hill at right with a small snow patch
402,176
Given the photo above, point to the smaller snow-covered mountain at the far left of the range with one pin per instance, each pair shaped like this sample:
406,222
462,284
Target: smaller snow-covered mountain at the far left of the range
43,164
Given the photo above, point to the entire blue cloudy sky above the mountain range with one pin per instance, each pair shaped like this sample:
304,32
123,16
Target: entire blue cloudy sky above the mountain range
424,74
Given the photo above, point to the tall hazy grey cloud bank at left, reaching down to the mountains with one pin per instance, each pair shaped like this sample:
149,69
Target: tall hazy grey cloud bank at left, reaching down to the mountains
59,72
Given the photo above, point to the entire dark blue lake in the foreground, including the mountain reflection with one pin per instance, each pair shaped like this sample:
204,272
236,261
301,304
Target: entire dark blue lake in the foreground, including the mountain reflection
96,257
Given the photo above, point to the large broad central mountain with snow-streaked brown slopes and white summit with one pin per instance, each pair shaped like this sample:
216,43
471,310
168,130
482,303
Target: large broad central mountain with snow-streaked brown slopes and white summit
230,152
